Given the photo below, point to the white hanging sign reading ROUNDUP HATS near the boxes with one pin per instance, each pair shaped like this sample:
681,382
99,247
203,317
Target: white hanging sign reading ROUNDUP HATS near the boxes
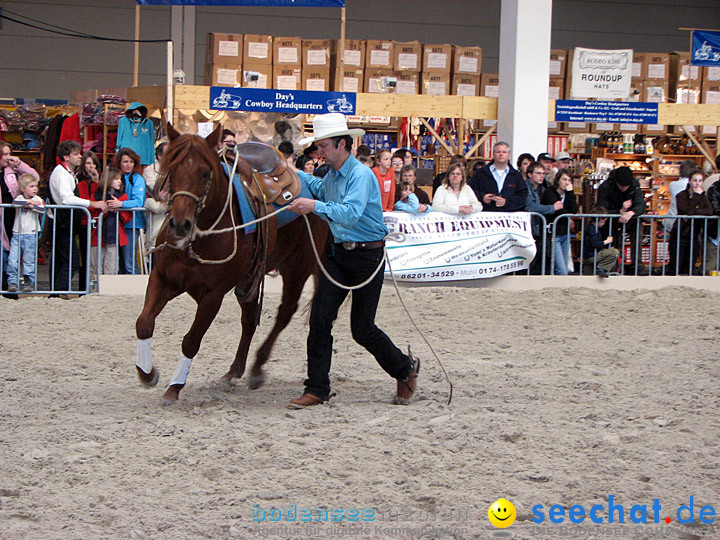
600,73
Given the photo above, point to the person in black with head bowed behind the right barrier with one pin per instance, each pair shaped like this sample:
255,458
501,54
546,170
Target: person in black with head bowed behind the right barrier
621,194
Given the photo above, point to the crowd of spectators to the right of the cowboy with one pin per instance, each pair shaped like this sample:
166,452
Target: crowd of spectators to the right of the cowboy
546,186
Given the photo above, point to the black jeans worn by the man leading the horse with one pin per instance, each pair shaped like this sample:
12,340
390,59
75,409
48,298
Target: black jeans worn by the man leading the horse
349,268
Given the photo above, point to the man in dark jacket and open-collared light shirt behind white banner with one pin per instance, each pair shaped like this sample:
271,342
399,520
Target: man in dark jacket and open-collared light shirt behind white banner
498,186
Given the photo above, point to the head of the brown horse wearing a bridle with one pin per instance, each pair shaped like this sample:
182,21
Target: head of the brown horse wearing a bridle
192,169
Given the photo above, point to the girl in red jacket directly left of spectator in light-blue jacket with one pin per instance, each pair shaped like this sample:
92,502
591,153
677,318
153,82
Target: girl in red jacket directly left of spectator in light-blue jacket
113,233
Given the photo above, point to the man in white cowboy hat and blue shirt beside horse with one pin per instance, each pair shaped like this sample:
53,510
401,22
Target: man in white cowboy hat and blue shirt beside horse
348,198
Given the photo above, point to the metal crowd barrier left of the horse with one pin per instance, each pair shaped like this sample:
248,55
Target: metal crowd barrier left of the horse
28,267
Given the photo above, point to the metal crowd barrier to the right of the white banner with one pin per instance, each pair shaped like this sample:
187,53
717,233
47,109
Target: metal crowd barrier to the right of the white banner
644,247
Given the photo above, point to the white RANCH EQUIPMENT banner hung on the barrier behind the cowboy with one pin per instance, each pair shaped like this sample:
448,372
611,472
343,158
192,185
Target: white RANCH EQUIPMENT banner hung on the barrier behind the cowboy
444,247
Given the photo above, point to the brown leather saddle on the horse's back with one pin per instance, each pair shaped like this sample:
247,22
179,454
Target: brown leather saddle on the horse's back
273,181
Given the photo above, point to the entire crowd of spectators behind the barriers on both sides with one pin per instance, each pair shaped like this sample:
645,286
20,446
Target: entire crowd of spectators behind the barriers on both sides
543,186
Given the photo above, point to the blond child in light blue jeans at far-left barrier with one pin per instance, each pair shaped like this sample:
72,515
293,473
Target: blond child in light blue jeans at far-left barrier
23,244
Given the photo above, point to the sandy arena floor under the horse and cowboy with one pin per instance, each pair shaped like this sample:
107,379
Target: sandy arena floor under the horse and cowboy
562,396
